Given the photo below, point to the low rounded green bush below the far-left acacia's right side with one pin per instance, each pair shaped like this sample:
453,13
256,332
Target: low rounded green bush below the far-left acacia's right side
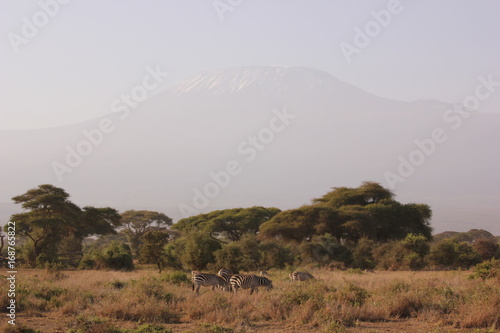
115,256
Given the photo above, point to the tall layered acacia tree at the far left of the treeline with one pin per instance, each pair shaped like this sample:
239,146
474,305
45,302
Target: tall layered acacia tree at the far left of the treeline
50,217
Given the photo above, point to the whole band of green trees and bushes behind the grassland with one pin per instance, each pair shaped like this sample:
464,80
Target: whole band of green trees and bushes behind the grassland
363,227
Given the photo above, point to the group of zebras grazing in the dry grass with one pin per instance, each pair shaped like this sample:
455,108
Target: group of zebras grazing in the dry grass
227,281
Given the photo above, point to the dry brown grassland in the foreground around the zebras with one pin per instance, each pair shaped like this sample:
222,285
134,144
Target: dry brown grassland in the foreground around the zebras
337,301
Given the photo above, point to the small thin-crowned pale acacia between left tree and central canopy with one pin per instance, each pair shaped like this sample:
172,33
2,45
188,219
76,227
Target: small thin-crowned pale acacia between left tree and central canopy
136,223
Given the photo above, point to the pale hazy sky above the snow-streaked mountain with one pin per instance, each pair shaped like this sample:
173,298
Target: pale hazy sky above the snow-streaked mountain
66,63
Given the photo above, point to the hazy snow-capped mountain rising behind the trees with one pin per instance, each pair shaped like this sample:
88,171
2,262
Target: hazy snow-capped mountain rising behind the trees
272,136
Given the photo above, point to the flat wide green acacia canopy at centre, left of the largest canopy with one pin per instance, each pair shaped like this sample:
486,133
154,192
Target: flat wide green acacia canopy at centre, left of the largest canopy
229,224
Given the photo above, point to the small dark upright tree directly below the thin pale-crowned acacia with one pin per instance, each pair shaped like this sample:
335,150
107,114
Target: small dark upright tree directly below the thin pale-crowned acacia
152,250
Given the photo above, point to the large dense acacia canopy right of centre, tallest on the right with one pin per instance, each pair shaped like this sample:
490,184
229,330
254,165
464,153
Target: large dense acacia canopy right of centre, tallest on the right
350,214
